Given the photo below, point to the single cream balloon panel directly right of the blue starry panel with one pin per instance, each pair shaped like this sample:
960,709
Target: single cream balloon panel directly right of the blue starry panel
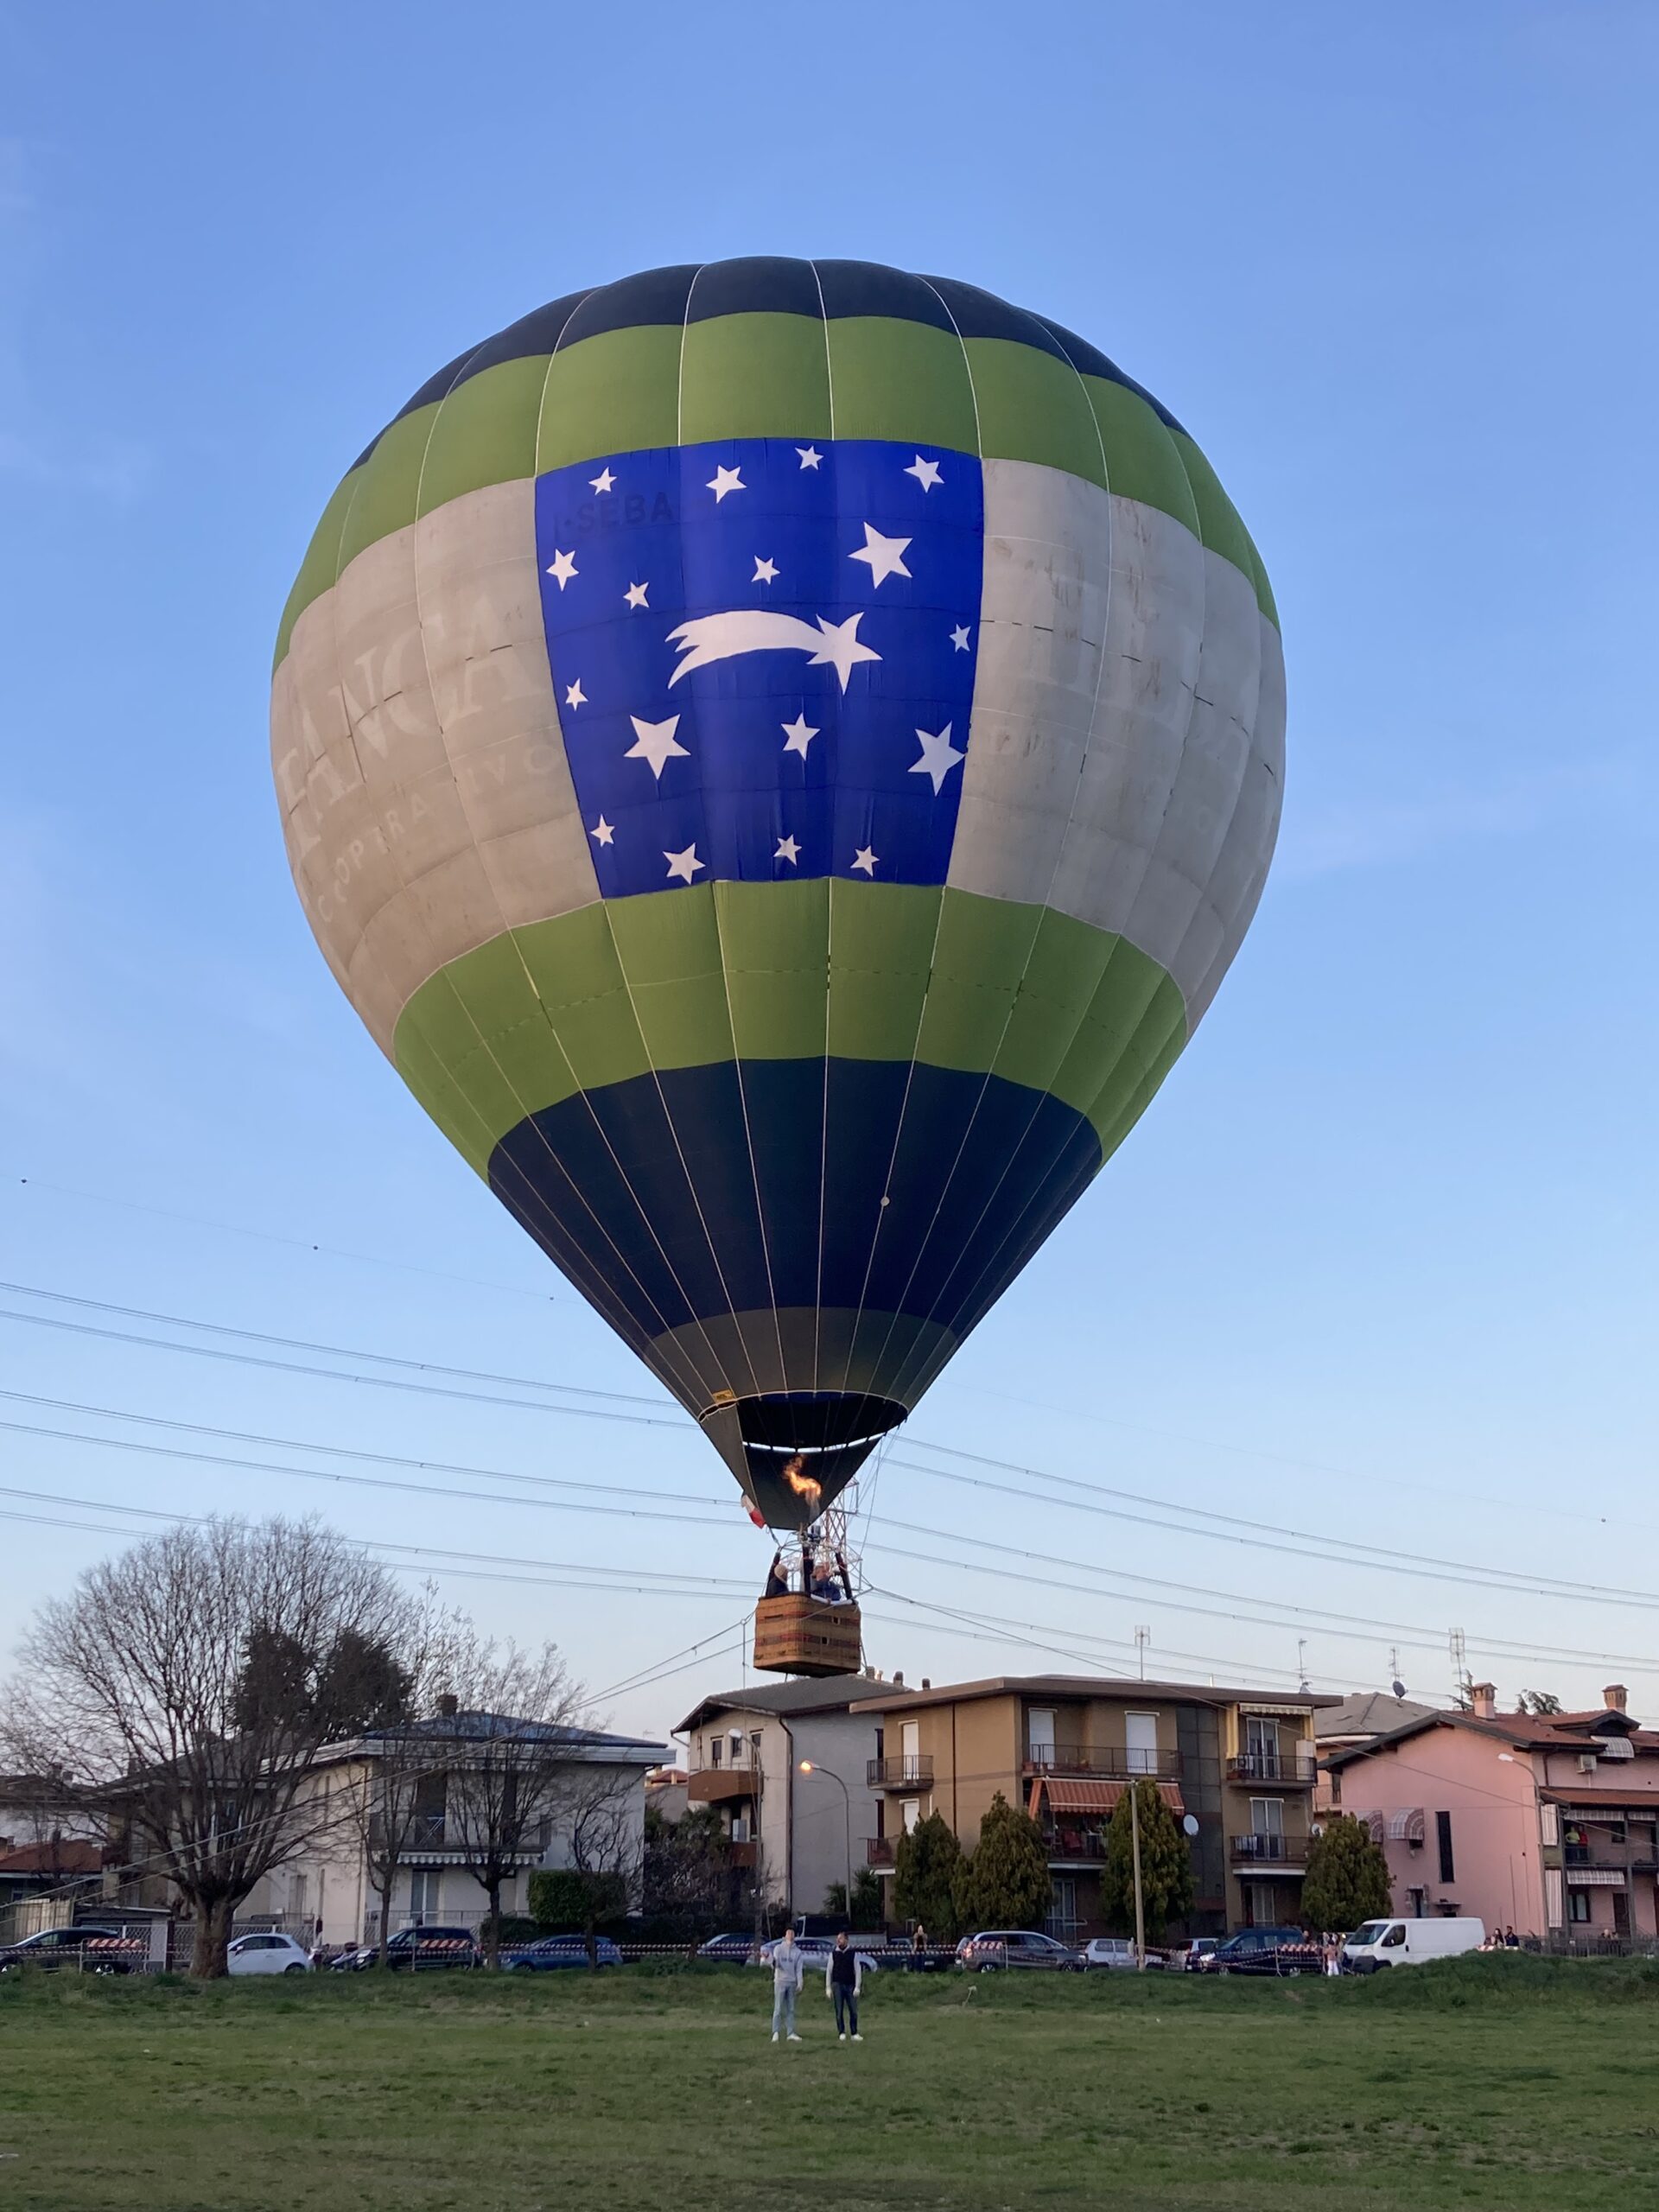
1043,618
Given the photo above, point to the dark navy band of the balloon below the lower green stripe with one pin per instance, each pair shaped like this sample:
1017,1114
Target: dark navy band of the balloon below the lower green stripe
671,1165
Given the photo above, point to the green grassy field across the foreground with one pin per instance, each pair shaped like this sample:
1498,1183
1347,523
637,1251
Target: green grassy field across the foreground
1501,2083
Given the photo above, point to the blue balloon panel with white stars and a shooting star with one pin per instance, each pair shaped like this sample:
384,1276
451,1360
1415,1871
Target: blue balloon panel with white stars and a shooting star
764,656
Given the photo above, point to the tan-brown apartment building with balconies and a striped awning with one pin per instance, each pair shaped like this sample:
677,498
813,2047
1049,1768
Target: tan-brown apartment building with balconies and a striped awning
1065,1746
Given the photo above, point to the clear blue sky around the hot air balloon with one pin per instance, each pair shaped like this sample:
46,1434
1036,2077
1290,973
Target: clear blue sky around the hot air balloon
1379,1264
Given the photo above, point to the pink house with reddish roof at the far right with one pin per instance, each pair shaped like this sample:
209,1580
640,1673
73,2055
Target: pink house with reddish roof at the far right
1541,1824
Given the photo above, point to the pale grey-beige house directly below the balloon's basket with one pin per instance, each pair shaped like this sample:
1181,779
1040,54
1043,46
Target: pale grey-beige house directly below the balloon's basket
797,1833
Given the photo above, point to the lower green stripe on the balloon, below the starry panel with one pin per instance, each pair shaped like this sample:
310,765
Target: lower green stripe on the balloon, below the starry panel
778,972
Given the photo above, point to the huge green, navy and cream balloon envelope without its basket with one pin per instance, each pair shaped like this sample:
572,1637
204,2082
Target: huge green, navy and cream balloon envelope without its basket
780,755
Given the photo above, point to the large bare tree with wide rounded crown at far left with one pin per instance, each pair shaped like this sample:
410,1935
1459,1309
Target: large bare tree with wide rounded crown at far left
196,1680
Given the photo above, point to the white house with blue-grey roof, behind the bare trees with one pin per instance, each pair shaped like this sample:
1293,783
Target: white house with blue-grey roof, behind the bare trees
326,1886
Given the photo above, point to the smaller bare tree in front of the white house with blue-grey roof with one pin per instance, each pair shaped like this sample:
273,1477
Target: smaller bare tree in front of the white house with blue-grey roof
508,1744
